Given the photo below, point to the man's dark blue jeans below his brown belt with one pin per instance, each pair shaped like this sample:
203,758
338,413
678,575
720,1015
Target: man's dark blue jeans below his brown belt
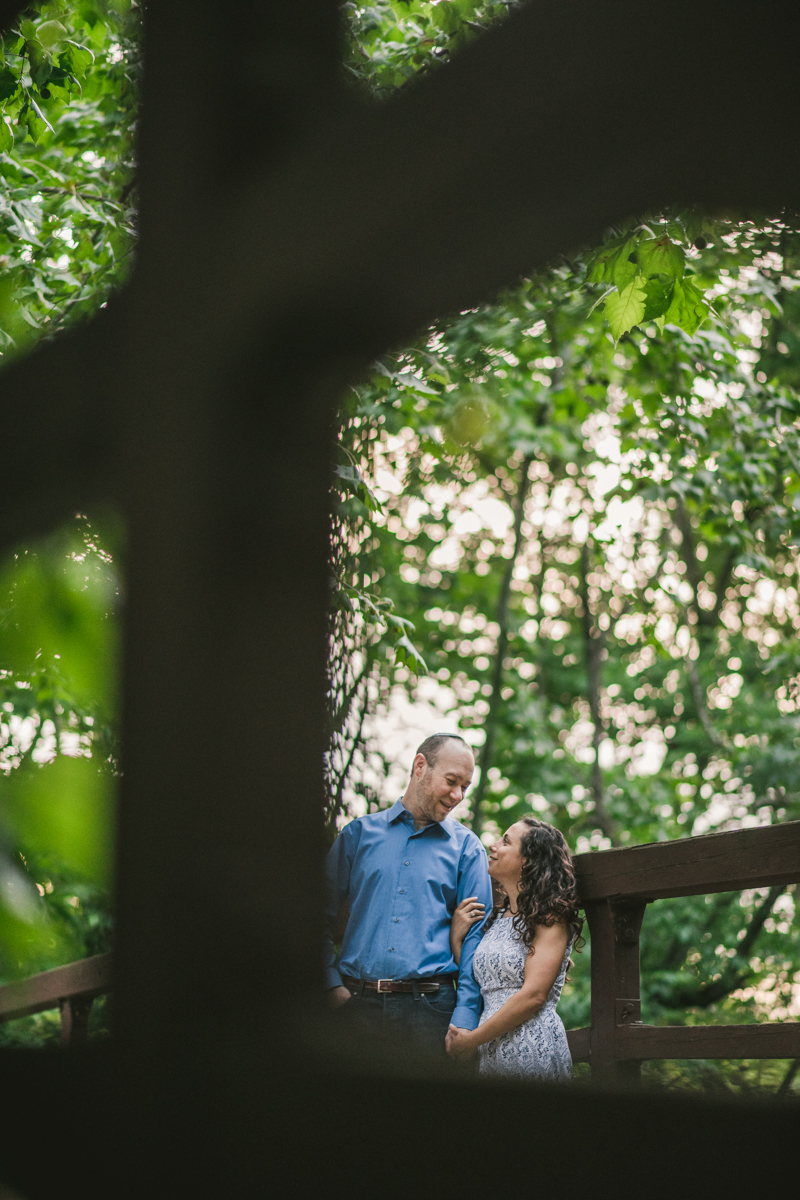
395,1016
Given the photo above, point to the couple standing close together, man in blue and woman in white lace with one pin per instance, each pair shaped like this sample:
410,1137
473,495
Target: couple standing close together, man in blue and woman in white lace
420,957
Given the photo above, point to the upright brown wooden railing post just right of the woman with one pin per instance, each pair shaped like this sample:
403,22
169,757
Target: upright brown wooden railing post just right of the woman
615,929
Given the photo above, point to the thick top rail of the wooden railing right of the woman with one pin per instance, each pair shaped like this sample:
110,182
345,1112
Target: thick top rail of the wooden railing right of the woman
721,862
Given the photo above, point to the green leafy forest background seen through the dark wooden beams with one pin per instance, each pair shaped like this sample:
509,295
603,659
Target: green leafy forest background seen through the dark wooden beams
566,523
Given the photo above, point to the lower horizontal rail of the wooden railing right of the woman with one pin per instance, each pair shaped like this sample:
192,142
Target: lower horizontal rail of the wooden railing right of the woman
643,1042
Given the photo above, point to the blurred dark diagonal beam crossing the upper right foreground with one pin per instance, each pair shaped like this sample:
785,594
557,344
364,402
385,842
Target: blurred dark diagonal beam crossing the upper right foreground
533,166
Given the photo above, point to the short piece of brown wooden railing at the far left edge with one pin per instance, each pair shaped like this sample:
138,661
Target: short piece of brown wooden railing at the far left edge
73,989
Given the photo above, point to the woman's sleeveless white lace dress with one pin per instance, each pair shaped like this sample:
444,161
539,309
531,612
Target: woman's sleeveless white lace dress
539,1048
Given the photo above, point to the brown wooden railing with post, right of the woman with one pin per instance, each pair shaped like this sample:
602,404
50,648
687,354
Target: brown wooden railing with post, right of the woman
616,887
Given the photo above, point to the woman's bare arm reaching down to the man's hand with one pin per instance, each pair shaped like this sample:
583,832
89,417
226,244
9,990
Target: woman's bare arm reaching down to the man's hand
542,973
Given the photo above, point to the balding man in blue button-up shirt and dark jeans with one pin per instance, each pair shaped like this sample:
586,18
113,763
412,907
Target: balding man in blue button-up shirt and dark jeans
404,872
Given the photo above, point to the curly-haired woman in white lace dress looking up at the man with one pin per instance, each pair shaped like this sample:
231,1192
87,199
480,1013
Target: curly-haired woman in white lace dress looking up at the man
524,957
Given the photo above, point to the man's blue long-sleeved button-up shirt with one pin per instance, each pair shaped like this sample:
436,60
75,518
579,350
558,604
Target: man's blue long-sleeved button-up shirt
402,887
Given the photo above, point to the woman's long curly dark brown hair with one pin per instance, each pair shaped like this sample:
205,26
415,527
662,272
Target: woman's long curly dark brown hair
548,893
